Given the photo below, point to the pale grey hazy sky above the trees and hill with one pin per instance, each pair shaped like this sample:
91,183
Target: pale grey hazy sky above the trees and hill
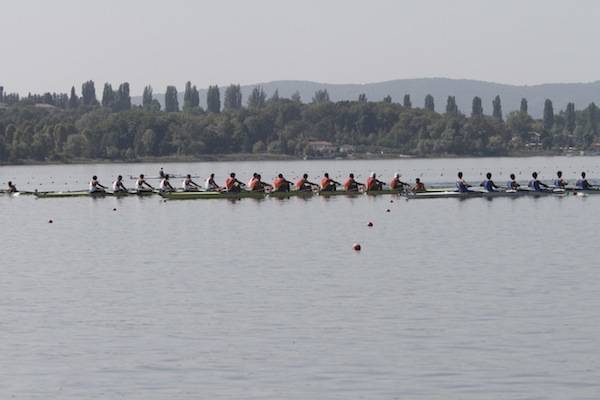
51,45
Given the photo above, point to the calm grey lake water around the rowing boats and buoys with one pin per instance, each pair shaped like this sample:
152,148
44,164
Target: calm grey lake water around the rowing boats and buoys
448,299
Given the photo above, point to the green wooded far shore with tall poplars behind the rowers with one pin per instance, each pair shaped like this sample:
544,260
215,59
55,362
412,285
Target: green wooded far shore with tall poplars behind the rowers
67,127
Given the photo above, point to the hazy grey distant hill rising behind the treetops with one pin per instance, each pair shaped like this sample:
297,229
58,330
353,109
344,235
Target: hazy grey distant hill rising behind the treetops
560,93
